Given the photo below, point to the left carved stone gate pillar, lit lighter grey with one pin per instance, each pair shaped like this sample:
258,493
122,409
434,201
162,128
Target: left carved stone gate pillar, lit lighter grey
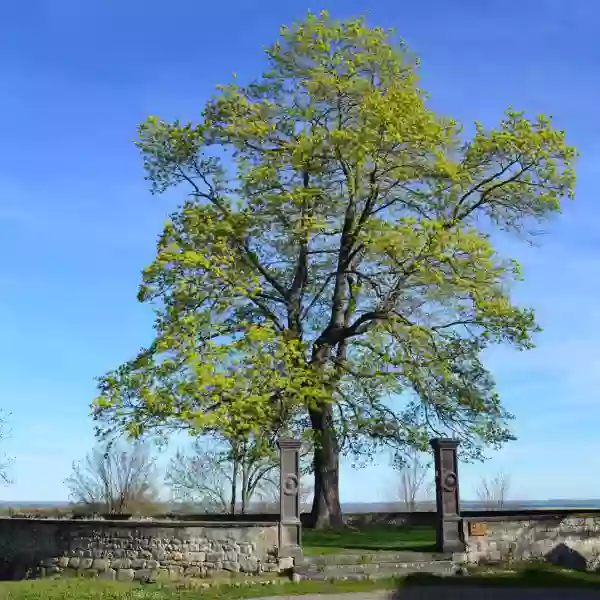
290,541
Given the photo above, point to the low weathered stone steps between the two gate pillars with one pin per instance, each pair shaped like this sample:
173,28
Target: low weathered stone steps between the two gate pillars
372,571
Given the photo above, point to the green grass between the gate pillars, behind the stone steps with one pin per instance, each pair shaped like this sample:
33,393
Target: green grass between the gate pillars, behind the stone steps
369,539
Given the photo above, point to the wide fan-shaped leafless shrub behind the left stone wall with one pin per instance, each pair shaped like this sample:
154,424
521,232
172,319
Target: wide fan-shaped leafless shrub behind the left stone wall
115,478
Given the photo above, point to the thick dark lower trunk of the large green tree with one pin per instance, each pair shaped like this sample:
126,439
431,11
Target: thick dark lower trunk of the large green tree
326,510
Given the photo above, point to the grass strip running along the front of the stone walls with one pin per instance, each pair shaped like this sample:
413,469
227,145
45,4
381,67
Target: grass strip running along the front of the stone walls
539,576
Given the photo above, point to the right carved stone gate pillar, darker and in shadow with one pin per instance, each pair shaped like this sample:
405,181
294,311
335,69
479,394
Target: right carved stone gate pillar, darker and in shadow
449,524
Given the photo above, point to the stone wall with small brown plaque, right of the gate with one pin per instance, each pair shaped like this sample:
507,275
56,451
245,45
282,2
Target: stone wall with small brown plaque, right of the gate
566,538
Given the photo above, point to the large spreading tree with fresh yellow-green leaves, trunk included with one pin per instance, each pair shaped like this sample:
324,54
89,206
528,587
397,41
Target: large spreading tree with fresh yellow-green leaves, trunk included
333,264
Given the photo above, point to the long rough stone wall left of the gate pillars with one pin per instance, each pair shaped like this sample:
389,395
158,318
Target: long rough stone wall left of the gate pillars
134,550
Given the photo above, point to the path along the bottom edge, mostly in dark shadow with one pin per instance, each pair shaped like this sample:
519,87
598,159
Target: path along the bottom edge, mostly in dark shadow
457,593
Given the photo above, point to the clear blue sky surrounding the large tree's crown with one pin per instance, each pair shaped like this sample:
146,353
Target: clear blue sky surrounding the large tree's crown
77,224
